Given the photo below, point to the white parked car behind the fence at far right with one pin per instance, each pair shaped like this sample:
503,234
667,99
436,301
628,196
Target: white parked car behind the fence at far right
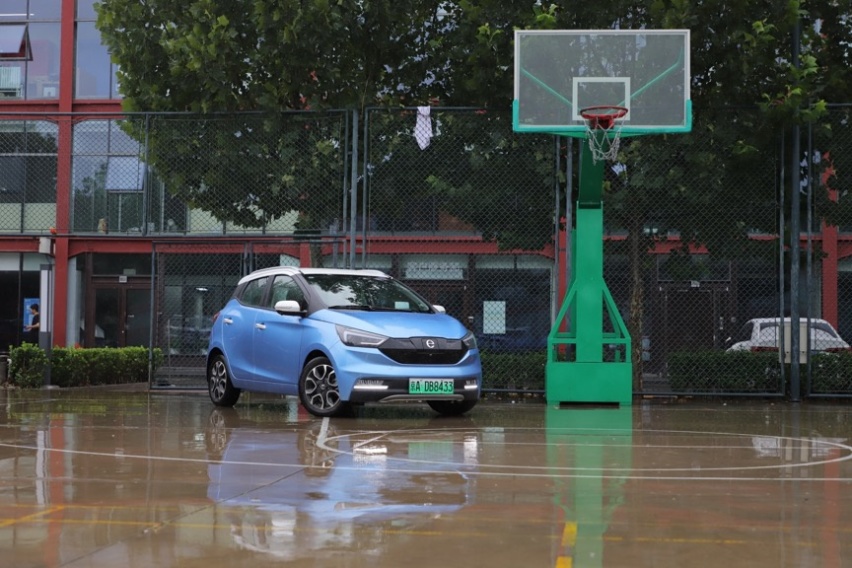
764,334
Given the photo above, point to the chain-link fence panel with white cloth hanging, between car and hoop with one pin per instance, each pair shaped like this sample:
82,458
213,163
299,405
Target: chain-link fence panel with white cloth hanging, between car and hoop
461,208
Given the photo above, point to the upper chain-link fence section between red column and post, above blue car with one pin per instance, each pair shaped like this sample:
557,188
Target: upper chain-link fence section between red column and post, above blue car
235,174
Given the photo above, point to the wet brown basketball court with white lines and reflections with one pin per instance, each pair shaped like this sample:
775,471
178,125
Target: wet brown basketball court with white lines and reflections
117,478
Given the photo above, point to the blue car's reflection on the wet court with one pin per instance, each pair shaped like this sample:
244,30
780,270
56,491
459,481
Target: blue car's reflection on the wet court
345,496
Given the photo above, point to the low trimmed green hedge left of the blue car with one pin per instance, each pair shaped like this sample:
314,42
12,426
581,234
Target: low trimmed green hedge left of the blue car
73,367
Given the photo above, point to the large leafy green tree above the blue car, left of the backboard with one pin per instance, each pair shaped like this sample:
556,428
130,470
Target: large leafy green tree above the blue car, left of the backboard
210,57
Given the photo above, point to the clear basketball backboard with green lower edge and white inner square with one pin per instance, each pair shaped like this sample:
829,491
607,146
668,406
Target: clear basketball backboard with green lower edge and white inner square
560,72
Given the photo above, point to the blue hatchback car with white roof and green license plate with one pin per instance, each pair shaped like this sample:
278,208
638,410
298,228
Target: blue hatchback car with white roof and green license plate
337,338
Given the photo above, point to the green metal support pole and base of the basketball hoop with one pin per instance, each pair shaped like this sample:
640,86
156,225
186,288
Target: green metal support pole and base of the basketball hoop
588,361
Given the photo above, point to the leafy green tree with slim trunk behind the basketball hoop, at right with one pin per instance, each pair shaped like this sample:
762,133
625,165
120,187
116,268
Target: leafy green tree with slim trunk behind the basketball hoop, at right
718,185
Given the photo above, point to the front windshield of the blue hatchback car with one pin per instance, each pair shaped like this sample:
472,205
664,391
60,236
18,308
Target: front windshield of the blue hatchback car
357,292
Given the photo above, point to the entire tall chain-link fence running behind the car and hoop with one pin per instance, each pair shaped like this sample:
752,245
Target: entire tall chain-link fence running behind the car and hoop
474,216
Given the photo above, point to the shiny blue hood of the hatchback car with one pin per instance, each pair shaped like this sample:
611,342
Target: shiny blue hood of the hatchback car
396,324
